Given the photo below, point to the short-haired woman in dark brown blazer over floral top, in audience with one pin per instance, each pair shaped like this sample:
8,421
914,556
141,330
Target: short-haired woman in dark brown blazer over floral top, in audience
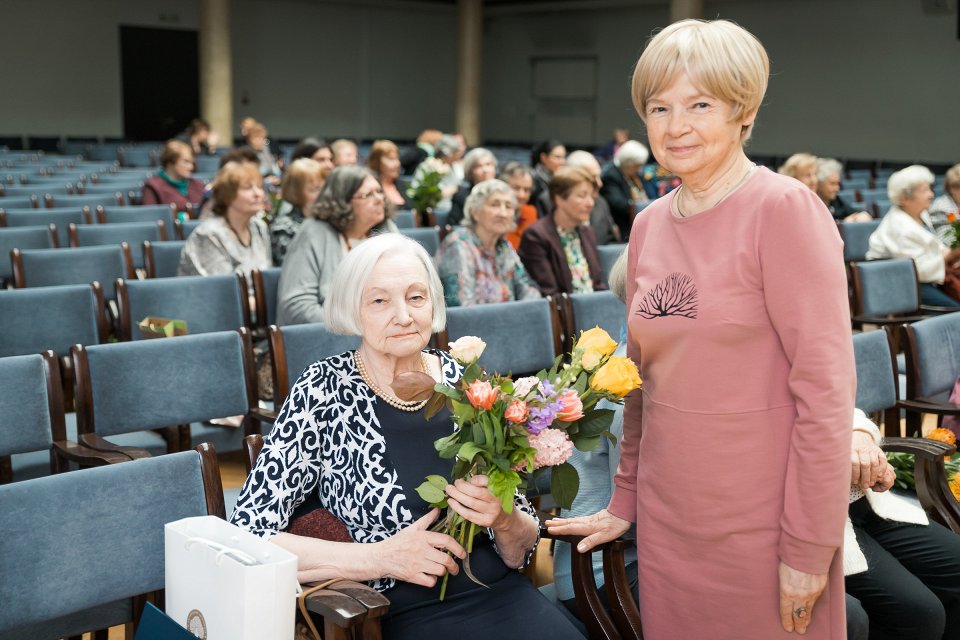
560,250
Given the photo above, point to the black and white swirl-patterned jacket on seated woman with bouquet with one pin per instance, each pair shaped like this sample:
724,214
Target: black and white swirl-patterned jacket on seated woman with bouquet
327,439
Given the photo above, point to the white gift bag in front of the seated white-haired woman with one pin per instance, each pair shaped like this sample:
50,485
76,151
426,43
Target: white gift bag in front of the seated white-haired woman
224,583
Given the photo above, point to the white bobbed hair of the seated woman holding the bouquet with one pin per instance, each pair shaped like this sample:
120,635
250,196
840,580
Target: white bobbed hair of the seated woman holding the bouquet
341,311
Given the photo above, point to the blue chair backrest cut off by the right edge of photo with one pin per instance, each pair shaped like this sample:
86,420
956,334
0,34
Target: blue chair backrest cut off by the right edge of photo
932,350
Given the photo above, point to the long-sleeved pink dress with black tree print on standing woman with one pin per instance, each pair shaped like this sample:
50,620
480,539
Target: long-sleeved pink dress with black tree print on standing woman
736,455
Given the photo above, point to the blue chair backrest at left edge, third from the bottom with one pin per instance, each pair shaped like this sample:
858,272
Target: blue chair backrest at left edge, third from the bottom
51,318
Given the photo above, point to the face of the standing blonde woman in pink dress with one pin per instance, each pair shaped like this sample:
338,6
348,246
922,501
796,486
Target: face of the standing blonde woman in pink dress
691,131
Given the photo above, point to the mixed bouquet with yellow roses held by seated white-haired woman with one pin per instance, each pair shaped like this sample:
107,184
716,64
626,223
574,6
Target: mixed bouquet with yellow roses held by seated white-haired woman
509,429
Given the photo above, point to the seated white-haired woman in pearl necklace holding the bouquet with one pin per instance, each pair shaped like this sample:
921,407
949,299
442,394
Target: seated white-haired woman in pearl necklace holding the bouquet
345,437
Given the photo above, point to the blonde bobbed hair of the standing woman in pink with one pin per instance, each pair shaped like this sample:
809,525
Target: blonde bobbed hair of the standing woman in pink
720,58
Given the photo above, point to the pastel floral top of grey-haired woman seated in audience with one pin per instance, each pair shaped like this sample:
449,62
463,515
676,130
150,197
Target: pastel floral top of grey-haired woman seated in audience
470,275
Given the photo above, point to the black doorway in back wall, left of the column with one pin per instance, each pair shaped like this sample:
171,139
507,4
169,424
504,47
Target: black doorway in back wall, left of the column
160,81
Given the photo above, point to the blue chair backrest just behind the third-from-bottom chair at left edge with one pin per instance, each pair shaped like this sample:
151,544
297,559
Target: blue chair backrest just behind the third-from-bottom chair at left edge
78,265
